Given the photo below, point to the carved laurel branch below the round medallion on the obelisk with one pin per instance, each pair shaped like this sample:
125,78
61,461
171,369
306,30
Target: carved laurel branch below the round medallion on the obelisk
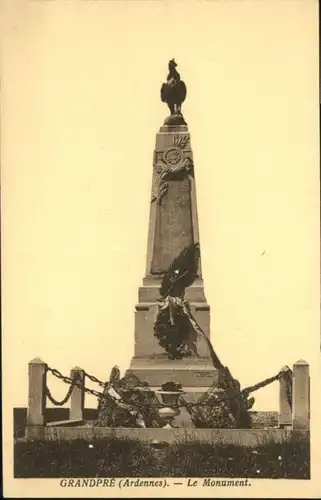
168,173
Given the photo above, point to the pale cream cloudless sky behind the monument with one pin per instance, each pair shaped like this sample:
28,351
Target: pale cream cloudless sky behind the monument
79,112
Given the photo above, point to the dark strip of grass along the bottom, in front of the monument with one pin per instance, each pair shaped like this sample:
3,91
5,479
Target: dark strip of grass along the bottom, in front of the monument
129,458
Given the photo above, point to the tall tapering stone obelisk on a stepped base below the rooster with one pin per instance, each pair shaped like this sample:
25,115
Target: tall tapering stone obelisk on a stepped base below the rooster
173,225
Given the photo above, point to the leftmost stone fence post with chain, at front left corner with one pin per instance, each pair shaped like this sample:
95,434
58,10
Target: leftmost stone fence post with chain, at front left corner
37,374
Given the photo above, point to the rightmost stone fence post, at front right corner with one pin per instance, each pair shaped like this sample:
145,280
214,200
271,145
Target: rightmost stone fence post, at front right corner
301,403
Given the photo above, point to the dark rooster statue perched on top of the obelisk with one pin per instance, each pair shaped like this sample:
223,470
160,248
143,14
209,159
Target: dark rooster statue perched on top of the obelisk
173,92
